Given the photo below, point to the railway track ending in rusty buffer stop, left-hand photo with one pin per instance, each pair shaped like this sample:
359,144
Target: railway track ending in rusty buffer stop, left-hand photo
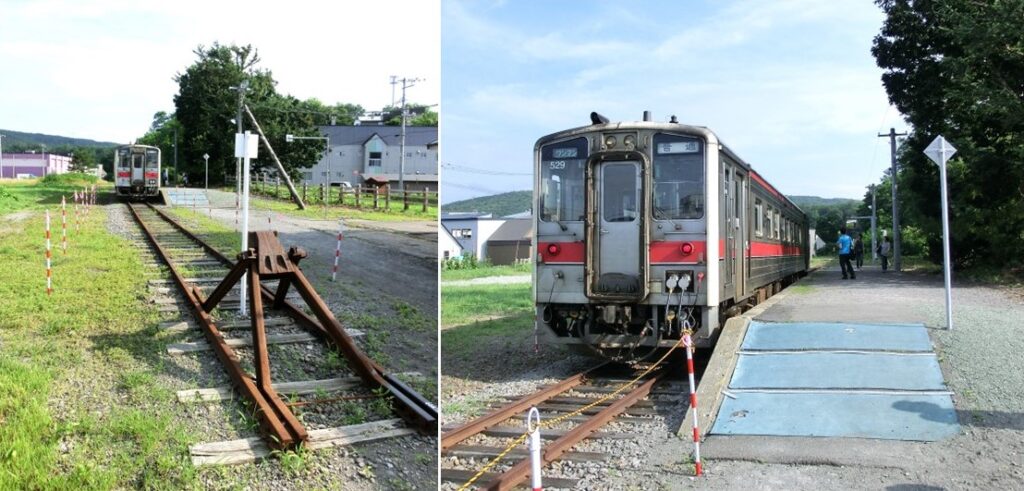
206,284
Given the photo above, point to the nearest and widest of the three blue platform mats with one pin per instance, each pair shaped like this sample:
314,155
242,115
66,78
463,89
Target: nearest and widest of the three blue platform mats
912,418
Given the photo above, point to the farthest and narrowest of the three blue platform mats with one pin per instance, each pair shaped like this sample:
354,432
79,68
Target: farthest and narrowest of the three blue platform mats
808,336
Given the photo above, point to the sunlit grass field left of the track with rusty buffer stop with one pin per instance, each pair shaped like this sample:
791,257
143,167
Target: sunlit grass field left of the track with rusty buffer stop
80,406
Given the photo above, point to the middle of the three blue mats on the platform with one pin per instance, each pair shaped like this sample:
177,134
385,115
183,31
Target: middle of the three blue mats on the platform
838,371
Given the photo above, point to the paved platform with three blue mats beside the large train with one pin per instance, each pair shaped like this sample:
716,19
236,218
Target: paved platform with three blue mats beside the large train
825,372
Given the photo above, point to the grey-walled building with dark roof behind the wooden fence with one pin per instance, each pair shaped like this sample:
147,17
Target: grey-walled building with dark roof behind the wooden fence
370,155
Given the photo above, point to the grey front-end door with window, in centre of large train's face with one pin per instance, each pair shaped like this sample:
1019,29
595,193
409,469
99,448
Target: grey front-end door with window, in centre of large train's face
619,229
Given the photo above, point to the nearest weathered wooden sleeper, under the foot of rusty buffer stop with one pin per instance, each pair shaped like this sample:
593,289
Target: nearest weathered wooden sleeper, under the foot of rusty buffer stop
252,449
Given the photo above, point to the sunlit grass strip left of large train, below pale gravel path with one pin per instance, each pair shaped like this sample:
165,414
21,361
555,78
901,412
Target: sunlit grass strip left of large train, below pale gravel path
461,305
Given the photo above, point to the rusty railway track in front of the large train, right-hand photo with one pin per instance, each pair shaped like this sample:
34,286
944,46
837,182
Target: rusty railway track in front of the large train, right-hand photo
582,406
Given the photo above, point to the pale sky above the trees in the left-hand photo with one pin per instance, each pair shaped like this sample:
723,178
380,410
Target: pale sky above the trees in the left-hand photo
101,69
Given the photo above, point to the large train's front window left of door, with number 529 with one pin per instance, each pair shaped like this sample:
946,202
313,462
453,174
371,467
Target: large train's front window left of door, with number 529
563,181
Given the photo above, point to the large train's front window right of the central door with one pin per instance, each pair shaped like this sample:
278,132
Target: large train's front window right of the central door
679,175
